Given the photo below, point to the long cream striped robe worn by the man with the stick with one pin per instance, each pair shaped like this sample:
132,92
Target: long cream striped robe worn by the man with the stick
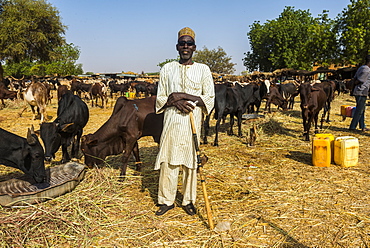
176,144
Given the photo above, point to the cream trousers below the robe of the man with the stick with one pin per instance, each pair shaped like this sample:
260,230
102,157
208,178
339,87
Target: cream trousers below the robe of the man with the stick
168,180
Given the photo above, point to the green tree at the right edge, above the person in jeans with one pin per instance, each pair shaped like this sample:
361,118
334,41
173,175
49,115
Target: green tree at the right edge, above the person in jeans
353,30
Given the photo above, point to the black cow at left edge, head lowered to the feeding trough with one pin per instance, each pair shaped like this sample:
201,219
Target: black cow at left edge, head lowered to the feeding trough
24,154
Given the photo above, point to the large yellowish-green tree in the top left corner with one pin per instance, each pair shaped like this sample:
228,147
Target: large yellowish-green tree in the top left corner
30,30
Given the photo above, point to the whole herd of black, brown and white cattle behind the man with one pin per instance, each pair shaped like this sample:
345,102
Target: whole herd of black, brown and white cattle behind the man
132,119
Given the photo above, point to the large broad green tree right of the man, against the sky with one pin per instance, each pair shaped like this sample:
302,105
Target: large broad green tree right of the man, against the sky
280,43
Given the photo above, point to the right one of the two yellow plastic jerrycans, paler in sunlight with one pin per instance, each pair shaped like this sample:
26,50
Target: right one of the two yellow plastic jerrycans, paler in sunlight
346,150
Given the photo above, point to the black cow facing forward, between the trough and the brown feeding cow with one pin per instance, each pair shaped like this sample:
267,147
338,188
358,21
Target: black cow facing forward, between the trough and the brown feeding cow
66,129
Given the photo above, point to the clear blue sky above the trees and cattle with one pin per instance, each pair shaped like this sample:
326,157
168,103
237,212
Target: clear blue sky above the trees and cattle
136,35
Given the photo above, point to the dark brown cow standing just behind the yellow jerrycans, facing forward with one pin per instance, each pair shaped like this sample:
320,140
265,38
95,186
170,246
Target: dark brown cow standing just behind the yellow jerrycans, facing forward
313,99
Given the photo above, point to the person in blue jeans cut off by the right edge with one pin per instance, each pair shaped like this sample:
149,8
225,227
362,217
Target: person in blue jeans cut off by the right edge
361,92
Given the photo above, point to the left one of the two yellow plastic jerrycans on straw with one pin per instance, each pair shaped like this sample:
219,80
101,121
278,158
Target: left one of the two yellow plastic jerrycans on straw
321,152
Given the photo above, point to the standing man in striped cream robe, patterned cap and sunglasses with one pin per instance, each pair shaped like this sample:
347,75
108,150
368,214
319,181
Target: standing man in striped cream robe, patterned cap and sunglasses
182,84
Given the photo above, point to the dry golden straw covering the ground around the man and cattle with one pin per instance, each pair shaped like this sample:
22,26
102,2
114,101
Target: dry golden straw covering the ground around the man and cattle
270,194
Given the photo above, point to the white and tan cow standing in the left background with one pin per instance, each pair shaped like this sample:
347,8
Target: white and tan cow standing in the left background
36,96
